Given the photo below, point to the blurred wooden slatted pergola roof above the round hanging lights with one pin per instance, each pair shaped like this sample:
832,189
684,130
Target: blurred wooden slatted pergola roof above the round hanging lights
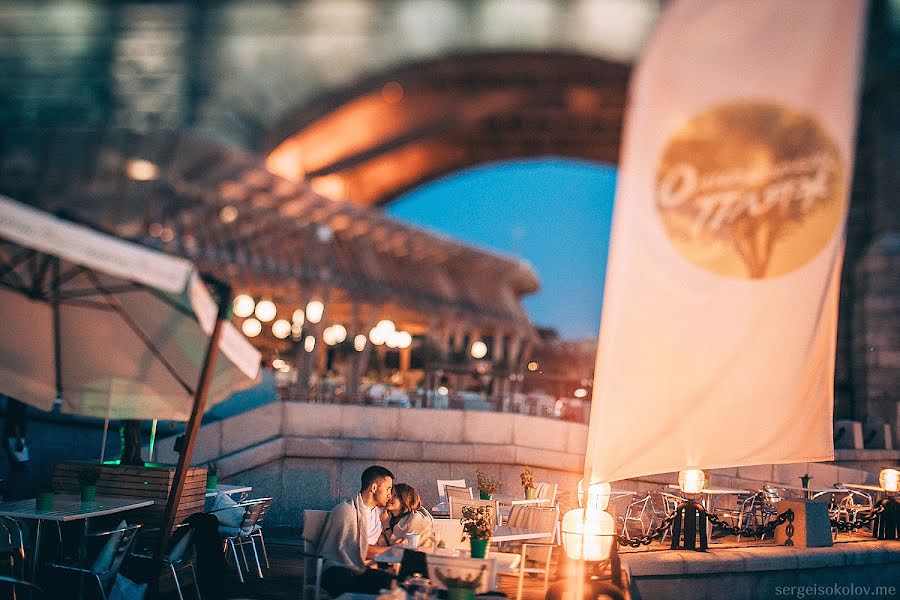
195,197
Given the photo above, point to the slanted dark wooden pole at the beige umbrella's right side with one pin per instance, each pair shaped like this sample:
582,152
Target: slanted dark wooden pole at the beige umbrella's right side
190,435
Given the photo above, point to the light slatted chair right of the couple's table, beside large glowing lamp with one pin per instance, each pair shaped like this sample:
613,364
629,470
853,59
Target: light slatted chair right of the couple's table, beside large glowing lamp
532,556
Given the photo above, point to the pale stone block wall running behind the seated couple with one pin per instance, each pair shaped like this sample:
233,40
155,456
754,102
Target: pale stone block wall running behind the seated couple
310,456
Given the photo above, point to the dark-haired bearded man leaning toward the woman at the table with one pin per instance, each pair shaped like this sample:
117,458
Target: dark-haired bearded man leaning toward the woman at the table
349,536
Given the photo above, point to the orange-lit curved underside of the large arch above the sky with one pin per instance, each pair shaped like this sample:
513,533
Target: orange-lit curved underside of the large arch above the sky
404,127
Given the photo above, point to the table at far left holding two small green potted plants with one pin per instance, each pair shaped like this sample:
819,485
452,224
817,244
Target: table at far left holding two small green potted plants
66,508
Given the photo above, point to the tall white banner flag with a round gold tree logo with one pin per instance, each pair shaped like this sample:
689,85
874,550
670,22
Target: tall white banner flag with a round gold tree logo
717,338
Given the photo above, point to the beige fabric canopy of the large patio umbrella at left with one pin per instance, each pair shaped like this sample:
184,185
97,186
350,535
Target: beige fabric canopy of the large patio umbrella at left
114,329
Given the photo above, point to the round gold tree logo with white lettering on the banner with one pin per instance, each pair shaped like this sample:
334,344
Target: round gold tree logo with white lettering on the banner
750,190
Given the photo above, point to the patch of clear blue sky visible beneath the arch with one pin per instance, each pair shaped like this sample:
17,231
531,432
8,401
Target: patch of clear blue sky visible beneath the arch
554,213
